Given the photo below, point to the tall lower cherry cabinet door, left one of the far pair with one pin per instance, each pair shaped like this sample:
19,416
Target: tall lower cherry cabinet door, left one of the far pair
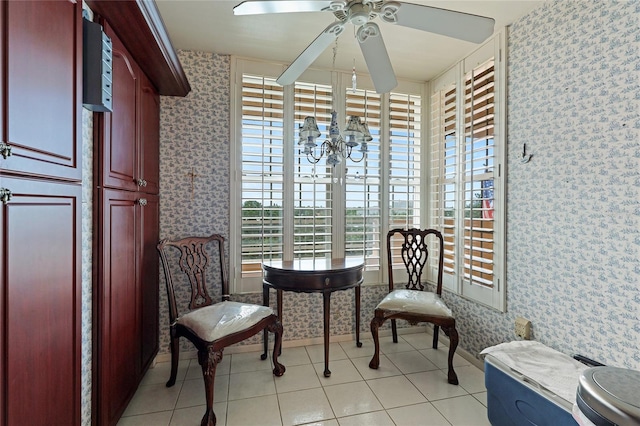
117,299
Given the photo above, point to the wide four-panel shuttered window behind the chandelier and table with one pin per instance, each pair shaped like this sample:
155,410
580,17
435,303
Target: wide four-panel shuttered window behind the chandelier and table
291,208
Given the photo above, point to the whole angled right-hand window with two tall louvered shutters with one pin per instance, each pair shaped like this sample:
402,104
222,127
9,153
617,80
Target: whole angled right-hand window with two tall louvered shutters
467,177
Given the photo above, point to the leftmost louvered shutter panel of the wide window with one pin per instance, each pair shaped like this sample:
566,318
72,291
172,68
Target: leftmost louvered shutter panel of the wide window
262,173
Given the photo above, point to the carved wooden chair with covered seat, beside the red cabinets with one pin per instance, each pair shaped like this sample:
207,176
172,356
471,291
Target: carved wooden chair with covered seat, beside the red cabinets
210,327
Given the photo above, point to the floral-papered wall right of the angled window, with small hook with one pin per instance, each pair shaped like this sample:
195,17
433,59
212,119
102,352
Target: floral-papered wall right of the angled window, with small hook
573,211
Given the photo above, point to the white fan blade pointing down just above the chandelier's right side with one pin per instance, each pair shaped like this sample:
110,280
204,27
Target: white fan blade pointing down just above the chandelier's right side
377,59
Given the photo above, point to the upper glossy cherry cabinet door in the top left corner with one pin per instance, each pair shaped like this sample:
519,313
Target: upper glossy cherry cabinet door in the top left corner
43,87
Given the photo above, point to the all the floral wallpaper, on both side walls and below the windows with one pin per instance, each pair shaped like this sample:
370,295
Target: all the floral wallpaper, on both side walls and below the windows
573,220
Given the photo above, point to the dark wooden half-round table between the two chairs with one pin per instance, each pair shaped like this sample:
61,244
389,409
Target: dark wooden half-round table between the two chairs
313,276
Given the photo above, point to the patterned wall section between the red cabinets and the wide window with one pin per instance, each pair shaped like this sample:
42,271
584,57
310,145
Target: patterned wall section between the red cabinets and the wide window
194,161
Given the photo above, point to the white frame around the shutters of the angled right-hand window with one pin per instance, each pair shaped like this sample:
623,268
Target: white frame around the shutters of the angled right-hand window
494,296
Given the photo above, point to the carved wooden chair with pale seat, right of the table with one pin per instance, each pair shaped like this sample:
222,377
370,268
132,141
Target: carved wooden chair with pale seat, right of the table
412,303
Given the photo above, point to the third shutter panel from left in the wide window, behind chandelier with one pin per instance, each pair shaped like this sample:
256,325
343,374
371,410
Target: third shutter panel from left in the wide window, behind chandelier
362,183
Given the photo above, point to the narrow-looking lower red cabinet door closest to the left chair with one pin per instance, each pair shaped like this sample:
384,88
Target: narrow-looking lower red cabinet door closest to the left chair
149,279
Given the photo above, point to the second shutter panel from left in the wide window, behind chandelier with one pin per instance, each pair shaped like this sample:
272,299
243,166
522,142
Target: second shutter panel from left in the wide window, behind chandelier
313,192
